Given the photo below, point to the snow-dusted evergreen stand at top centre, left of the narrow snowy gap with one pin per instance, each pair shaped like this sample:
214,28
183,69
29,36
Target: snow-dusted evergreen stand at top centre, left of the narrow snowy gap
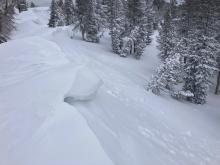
130,22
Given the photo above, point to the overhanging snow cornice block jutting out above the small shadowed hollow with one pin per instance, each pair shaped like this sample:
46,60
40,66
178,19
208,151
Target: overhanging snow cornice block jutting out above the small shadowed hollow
85,86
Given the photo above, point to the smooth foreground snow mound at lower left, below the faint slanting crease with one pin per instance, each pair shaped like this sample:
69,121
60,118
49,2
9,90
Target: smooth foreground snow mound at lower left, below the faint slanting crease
37,127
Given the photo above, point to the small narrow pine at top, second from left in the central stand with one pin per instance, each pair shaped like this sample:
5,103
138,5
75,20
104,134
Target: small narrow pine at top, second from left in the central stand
69,12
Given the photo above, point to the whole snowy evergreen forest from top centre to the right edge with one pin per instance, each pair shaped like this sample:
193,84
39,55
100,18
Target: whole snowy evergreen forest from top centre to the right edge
189,38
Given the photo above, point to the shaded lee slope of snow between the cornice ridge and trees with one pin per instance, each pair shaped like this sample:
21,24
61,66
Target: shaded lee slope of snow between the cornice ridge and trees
136,127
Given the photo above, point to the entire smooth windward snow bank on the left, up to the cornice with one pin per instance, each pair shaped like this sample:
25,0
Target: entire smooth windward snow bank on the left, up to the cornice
36,126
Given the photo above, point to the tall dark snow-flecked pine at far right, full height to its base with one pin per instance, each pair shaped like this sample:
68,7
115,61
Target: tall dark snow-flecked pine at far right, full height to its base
202,48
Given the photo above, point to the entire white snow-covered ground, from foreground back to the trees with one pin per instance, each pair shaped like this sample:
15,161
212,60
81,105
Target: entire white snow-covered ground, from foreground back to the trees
64,101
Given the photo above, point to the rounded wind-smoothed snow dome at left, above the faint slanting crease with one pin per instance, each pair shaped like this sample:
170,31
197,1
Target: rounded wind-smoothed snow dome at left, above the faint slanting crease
23,58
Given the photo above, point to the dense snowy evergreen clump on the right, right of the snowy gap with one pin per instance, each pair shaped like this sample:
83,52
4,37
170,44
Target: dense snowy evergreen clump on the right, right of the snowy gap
189,43
